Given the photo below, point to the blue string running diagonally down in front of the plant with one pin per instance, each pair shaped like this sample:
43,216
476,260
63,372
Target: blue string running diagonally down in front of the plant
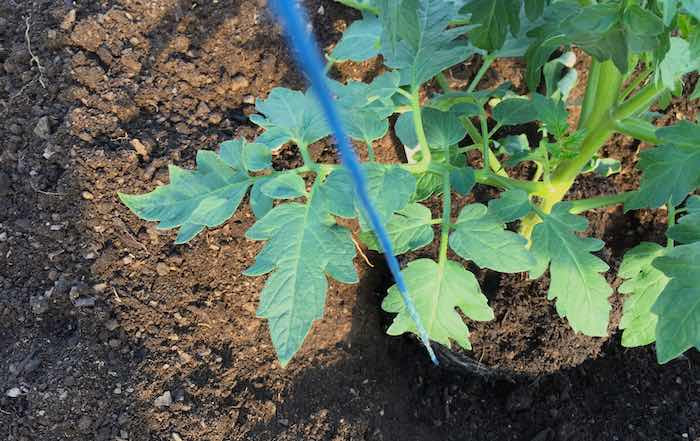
306,52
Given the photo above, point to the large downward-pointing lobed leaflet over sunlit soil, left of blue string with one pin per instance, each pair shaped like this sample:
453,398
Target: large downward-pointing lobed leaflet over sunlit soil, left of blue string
303,245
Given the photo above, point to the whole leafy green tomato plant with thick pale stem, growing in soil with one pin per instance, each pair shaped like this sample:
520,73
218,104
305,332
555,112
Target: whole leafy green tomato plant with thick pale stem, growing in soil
641,54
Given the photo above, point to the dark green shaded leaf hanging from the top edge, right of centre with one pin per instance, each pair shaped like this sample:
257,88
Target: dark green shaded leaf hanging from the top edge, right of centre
496,18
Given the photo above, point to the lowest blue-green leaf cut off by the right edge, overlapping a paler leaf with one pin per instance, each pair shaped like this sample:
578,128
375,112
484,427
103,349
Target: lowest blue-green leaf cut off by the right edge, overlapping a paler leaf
678,306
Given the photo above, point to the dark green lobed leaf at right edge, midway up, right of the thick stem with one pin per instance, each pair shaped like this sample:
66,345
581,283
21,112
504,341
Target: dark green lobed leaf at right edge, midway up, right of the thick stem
670,171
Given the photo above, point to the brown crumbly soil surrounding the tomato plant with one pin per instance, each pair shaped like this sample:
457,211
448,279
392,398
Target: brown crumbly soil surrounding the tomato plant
110,332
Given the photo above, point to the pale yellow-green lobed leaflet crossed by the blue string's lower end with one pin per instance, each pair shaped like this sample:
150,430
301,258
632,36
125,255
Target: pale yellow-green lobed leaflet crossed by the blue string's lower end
437,291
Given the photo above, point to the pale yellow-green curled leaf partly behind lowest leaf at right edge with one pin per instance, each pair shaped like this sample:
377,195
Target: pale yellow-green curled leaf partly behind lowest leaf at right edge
643,285
